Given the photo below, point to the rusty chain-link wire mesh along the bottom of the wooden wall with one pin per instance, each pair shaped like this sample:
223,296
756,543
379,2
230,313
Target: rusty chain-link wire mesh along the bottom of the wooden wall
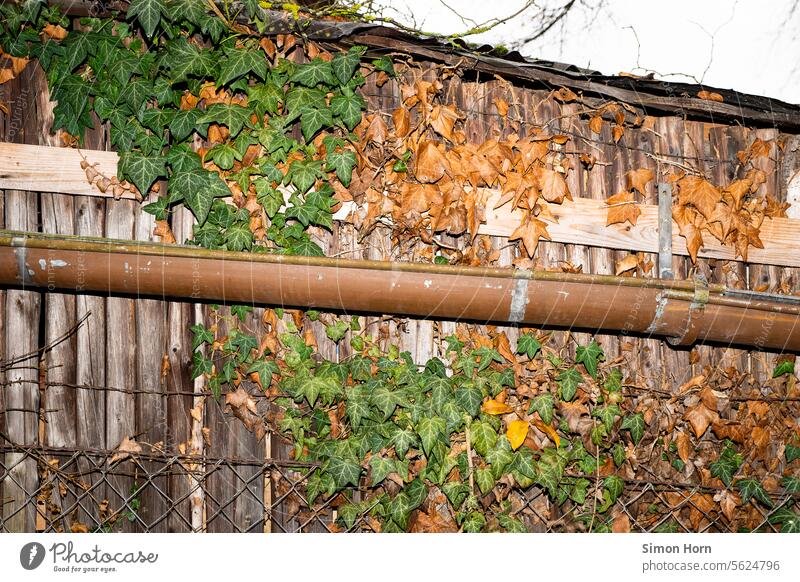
103,491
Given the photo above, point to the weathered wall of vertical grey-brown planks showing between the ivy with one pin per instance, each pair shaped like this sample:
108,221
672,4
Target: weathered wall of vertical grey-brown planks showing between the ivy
126,371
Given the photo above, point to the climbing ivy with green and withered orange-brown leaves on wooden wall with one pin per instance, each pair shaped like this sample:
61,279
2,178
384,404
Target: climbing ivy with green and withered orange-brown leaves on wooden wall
261,138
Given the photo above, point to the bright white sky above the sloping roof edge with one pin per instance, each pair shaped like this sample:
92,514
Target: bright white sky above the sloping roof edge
756,43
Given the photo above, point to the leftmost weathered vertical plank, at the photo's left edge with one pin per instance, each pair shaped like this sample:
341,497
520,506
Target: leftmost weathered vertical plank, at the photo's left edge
22,312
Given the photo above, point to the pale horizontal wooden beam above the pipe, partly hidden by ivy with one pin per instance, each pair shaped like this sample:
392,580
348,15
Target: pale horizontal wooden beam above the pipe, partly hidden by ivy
582,221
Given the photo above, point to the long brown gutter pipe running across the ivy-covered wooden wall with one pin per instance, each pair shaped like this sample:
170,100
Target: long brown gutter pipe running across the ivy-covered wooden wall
682,311
